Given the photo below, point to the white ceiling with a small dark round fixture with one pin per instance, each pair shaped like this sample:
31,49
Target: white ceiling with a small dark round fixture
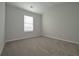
40,7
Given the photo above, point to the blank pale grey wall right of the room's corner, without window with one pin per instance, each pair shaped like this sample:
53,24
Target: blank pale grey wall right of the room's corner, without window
62,22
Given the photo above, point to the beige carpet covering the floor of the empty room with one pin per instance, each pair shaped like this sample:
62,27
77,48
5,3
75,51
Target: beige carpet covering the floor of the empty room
40,46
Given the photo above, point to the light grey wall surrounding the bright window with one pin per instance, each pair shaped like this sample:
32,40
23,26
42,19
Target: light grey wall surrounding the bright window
15,24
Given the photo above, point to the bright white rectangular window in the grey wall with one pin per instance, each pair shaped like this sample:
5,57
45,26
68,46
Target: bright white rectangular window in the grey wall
28,23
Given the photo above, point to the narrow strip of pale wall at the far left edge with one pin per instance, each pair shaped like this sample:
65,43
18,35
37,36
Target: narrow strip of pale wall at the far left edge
2,25
